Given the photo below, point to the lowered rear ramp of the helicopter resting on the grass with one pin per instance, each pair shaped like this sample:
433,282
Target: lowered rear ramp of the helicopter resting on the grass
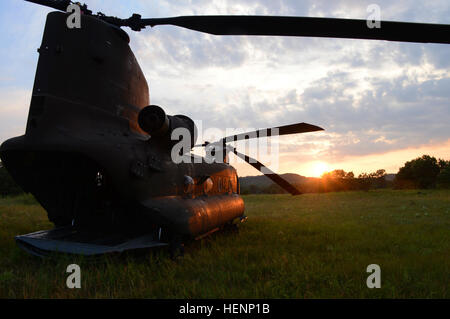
82,242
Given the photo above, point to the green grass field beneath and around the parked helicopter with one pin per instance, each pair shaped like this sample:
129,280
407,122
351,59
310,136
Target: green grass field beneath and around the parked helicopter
309,246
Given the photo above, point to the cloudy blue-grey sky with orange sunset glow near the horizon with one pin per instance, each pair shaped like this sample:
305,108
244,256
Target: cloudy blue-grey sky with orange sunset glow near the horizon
381,103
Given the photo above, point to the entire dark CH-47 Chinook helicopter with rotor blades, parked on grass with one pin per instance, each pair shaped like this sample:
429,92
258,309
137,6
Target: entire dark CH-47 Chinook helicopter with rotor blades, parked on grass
97,155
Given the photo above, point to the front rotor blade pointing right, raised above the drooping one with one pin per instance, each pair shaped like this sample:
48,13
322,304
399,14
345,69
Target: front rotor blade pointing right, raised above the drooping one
274,131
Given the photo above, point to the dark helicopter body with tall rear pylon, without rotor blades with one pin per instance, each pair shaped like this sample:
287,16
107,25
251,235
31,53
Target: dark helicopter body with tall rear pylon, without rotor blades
84,156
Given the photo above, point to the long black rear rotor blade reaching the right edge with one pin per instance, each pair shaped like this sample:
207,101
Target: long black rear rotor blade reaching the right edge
309,27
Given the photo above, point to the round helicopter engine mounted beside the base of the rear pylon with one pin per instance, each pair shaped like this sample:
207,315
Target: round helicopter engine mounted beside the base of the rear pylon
154,120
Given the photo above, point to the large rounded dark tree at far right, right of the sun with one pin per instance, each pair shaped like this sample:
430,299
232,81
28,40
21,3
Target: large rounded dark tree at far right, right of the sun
421,172
